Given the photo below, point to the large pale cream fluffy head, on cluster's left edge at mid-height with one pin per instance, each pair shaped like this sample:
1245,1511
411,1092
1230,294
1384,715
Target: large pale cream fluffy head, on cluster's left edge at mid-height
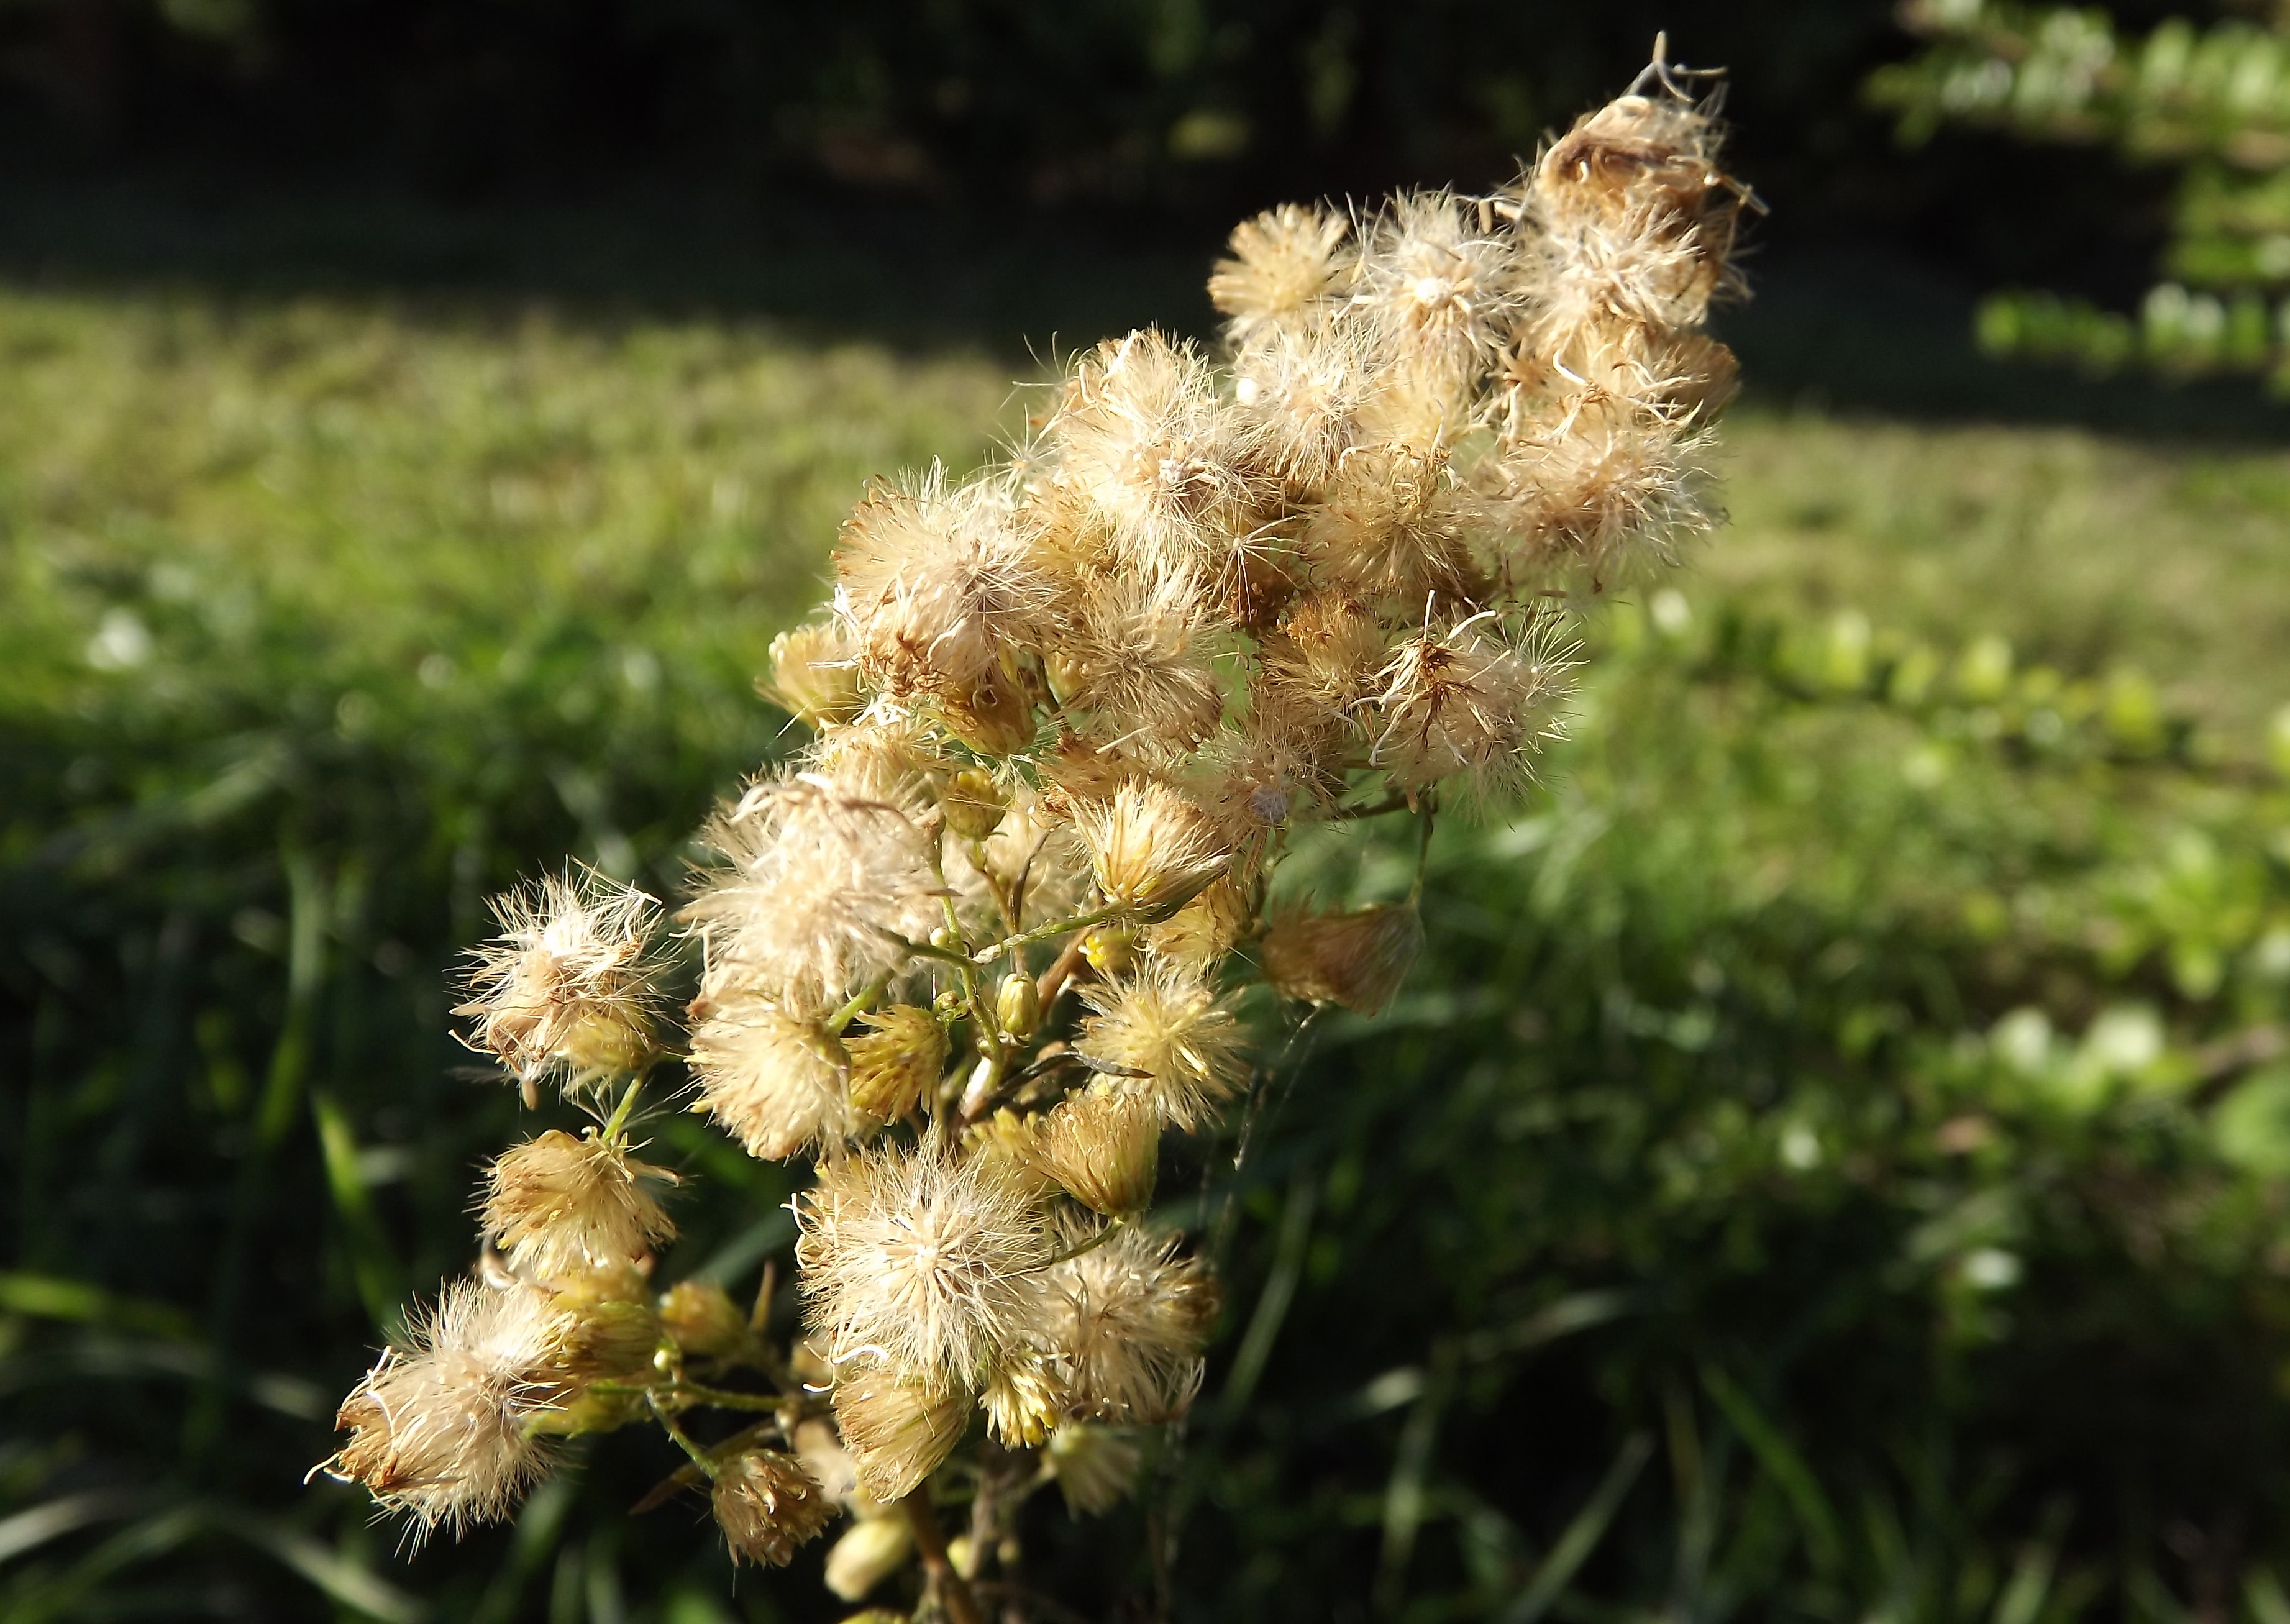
816,894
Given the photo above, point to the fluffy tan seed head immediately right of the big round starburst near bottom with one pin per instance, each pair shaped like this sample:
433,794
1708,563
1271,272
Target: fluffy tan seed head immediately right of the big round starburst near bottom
1128,1323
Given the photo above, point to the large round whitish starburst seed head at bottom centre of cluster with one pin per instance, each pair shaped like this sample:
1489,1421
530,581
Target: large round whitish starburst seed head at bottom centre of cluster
919,1263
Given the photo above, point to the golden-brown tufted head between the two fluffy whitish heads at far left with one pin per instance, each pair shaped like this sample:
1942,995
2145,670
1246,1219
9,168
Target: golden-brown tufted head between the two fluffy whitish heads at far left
562,1206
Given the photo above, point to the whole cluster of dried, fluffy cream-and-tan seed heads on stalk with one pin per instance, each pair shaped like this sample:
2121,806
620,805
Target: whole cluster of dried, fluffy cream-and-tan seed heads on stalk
979,947
